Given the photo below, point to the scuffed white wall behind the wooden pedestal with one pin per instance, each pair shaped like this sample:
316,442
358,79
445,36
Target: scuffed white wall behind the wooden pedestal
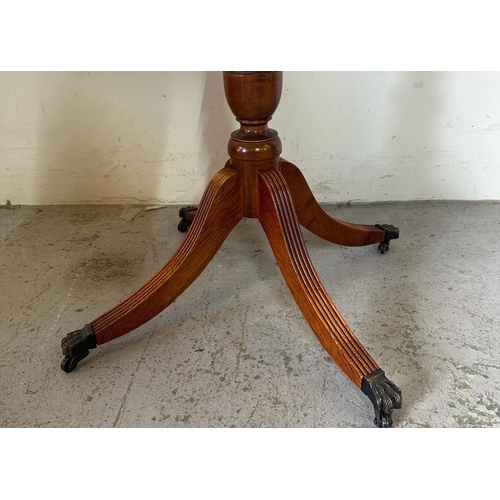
125,137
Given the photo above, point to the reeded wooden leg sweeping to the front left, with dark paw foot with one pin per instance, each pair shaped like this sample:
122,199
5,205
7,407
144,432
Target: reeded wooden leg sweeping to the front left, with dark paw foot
219,211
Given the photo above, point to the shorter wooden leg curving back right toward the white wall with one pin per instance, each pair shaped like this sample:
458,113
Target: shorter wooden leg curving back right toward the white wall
316,220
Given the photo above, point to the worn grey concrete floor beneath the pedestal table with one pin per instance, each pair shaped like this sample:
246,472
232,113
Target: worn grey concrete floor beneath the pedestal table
234,350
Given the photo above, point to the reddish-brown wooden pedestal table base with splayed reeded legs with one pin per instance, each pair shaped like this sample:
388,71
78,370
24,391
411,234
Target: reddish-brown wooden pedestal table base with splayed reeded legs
256,182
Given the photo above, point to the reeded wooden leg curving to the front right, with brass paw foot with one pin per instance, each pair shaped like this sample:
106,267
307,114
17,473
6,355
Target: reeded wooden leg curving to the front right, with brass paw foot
279,220
